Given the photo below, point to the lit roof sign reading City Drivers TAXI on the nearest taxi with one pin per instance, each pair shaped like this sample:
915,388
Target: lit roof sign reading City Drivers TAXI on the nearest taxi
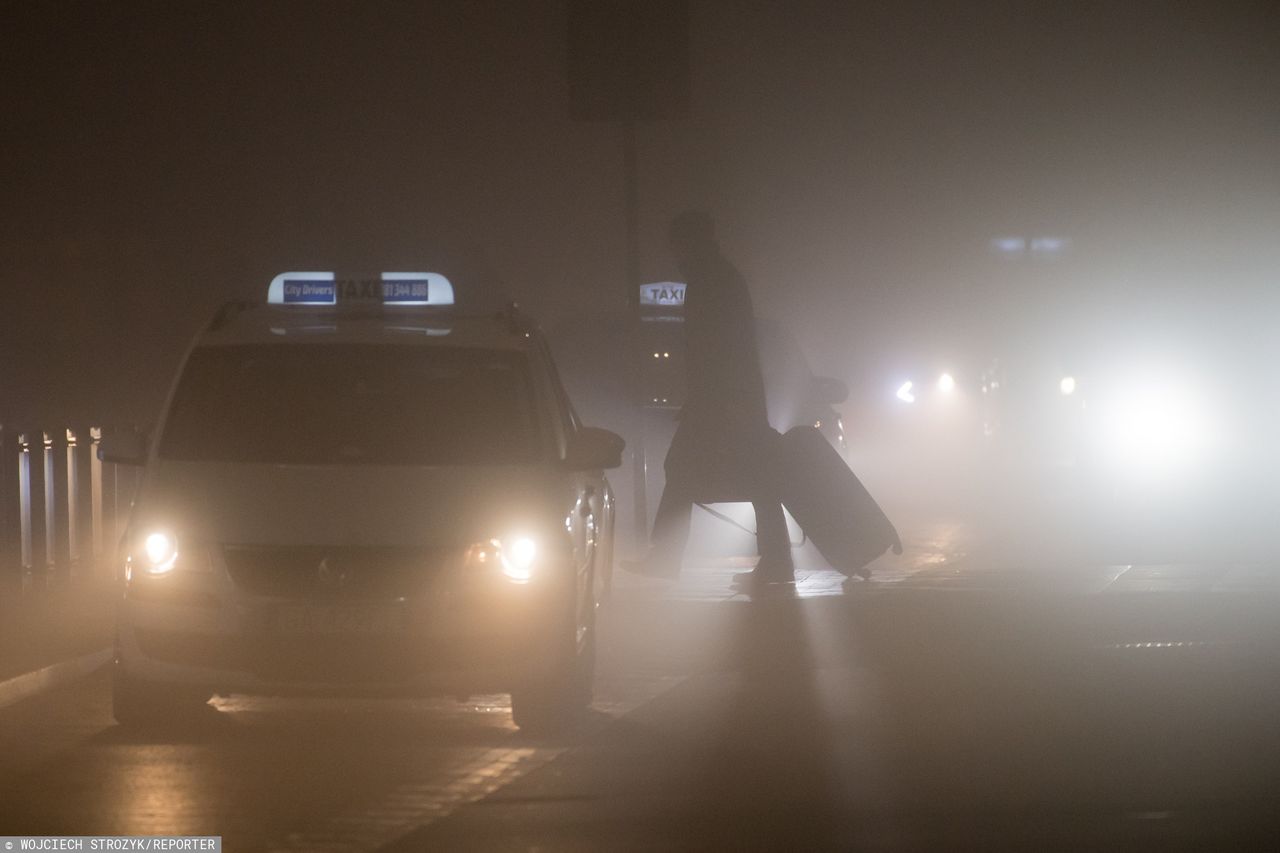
390,289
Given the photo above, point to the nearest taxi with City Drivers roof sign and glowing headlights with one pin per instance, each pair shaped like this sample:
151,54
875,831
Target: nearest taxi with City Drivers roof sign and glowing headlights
356,489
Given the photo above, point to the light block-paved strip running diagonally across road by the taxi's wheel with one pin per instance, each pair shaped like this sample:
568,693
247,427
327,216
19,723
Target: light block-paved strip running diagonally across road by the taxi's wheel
478,774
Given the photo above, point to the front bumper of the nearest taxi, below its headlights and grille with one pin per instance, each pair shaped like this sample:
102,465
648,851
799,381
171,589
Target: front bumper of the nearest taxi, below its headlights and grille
461,636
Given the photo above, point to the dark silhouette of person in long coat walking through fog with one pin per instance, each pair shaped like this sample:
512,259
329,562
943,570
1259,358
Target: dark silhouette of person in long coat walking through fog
724,440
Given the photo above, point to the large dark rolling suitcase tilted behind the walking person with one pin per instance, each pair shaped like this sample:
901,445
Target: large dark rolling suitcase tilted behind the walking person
831,505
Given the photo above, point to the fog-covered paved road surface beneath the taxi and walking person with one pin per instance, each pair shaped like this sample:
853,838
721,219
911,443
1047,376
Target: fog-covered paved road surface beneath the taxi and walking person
964,699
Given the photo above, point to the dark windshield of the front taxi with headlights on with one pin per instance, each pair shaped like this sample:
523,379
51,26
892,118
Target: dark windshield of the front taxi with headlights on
353,405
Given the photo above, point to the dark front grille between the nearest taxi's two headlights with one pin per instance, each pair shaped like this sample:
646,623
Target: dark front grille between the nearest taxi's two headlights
339,573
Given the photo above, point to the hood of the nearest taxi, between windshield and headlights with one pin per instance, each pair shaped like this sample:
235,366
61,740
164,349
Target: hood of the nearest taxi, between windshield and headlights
342,505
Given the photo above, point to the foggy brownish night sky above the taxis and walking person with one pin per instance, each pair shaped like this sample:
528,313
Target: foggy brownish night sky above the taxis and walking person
162,158
